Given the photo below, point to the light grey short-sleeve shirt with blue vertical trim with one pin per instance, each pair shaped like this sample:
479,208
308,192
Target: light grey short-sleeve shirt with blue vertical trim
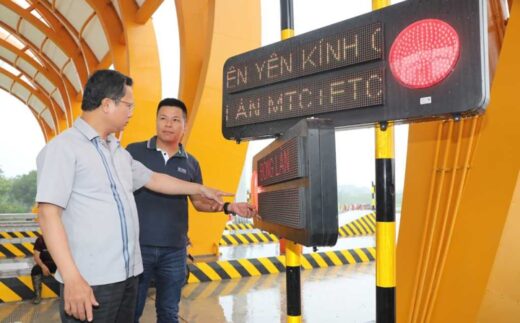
93,181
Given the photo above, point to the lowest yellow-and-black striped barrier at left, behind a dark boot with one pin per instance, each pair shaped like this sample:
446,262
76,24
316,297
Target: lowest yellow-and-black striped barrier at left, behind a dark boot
20,288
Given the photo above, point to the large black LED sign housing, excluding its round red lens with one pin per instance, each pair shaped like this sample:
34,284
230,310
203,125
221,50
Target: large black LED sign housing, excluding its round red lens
341,72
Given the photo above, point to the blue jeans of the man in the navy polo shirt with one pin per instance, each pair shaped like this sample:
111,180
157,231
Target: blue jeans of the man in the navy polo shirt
168,267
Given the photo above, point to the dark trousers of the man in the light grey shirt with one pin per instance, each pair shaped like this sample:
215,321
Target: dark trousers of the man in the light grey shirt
116,302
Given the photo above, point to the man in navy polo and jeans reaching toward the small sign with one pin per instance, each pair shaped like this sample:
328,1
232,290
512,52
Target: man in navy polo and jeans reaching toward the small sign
163,219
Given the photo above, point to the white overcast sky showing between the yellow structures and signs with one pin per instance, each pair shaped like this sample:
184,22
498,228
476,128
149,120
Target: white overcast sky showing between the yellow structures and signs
21,138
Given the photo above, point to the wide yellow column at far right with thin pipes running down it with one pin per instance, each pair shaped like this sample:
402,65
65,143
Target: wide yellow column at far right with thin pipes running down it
458,216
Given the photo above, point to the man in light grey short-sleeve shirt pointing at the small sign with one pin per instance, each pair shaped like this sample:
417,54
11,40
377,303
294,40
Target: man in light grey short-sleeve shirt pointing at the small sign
87,209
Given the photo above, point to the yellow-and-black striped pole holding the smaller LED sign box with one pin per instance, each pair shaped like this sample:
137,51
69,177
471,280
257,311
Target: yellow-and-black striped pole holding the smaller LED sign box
293,251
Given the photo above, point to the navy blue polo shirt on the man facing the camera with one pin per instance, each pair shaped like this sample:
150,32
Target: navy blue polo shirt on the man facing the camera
163,219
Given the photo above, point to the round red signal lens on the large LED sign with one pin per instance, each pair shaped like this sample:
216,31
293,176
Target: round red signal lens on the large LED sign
424,53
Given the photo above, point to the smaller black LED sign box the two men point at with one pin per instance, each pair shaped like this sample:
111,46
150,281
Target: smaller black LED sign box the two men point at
297,189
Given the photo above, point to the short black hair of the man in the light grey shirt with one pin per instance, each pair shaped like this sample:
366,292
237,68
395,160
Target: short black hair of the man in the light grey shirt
104,84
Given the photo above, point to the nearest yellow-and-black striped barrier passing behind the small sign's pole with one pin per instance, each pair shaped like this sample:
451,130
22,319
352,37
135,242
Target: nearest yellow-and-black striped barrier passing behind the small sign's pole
221,270
